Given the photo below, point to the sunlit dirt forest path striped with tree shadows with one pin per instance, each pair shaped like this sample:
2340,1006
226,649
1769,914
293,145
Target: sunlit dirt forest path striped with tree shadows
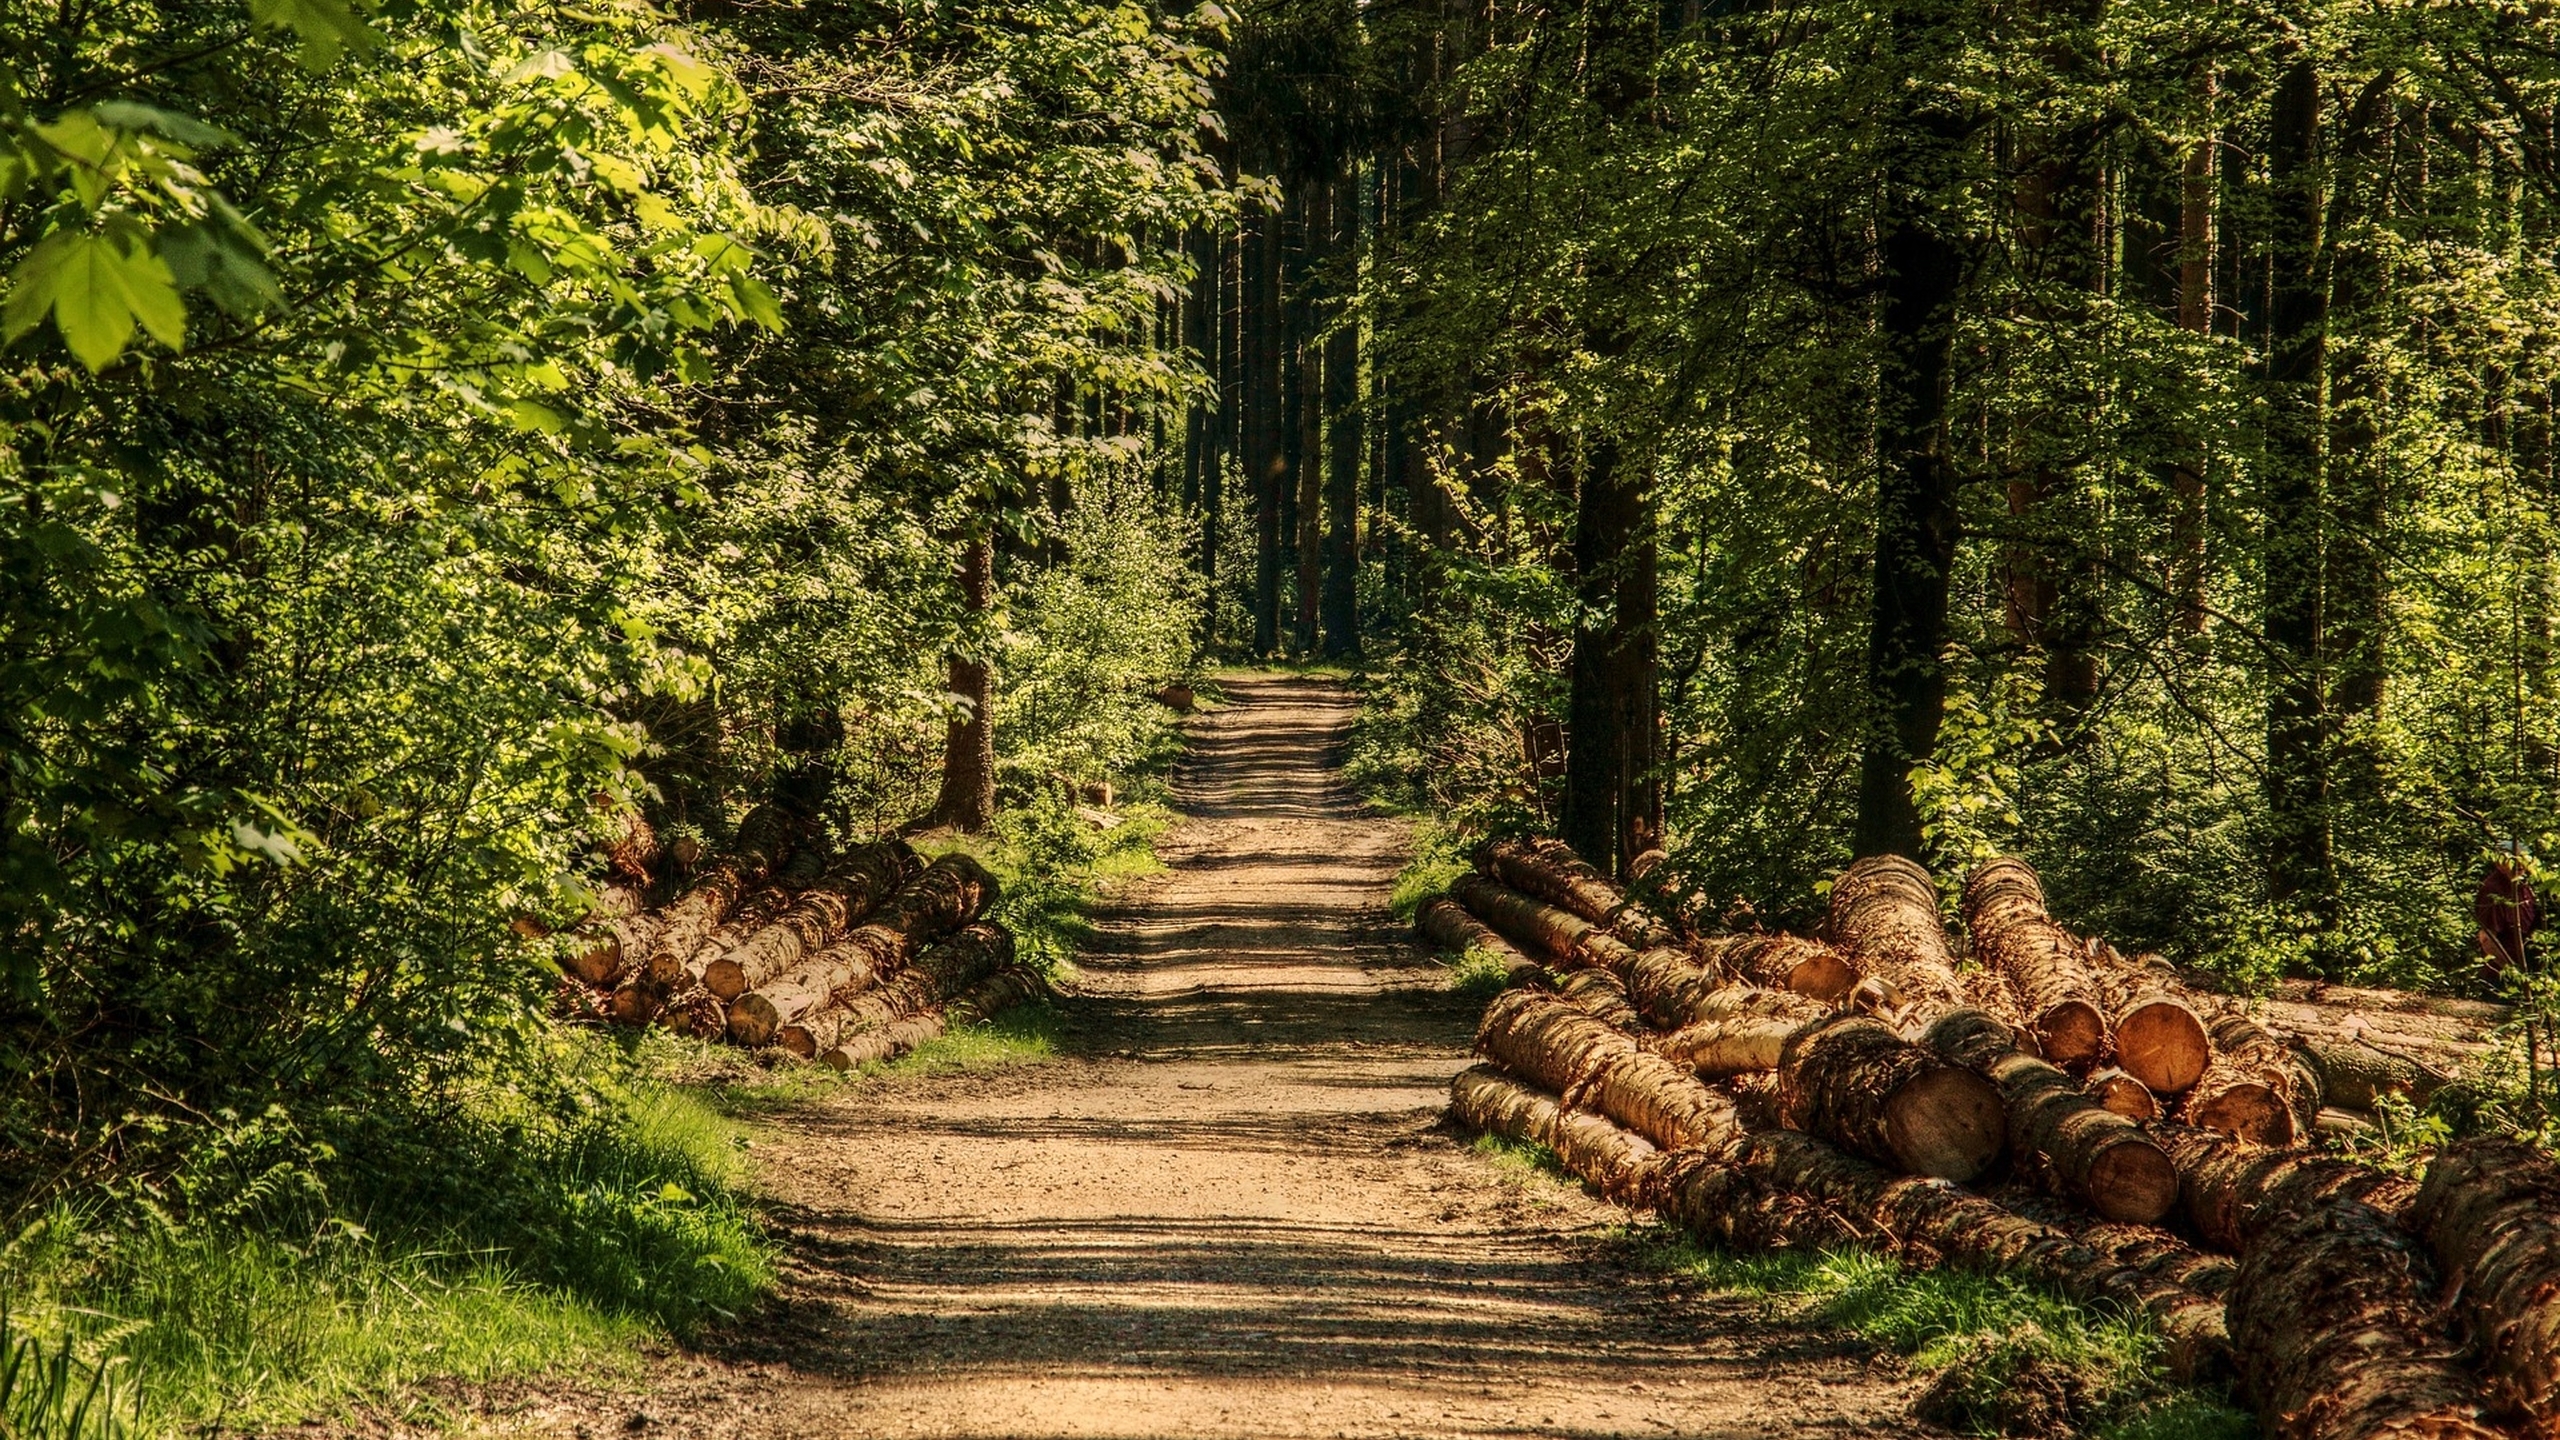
1230,1206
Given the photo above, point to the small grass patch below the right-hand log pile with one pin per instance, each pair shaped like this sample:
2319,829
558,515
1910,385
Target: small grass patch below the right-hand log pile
2003,1357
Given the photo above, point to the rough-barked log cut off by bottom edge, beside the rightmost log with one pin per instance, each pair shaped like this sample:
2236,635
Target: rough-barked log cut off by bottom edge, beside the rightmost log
2336,1334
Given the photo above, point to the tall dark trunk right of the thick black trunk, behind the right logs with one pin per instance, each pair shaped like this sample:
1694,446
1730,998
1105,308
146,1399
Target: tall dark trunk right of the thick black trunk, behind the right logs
2298,765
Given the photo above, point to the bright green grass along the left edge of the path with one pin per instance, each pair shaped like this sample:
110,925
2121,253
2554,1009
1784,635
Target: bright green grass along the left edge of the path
559,1223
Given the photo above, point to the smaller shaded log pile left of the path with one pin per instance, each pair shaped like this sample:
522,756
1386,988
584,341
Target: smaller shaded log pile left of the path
831,957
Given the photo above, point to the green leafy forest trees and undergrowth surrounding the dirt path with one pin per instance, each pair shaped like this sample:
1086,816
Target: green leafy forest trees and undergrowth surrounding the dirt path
444,439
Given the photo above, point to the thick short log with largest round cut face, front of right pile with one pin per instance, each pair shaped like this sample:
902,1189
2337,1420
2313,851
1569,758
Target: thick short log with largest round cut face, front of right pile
1873,1093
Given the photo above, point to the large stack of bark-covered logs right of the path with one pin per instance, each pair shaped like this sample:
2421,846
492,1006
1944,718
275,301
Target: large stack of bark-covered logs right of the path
2034,1103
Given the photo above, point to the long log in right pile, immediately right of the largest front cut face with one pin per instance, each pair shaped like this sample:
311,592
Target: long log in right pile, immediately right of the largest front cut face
2095,1154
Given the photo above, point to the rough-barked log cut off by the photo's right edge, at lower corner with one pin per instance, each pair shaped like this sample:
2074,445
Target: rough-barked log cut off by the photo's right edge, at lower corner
2492,1218
